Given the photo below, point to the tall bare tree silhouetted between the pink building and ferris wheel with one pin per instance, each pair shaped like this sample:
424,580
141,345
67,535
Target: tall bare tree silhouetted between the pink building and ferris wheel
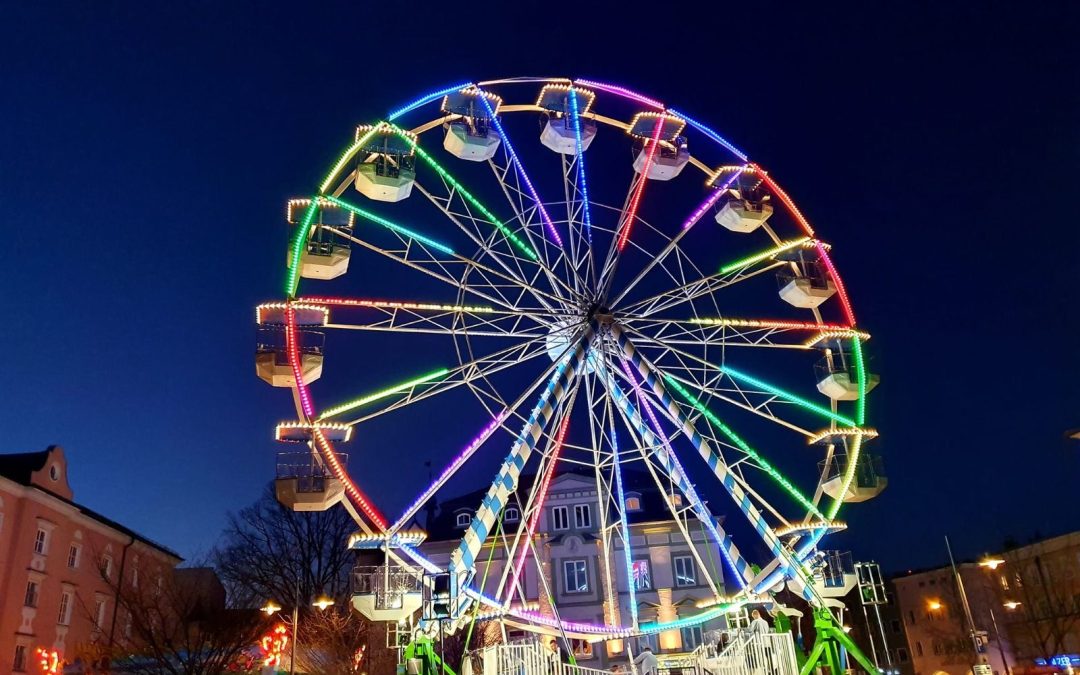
269,551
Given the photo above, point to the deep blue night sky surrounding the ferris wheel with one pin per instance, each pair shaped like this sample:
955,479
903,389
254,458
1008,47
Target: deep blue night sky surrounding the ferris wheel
146,153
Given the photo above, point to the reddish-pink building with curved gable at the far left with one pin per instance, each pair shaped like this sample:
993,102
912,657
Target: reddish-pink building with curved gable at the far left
61,564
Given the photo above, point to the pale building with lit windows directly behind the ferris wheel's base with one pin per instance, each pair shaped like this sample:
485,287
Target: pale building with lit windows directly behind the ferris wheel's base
668,578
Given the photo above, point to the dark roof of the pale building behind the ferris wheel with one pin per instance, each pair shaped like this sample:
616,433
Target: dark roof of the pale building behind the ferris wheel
444,528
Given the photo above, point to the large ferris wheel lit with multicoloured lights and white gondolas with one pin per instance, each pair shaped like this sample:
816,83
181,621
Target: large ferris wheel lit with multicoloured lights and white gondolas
618,291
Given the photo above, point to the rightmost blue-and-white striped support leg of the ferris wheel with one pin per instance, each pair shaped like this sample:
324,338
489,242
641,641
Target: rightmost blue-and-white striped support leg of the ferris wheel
705,450
